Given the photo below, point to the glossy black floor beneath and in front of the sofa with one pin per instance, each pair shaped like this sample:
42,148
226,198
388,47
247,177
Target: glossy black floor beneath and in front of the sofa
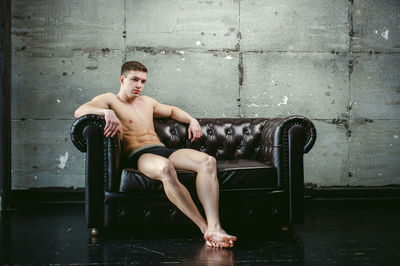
334,233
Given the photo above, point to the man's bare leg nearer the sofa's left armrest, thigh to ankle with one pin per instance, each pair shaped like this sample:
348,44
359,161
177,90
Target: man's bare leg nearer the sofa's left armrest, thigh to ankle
160,168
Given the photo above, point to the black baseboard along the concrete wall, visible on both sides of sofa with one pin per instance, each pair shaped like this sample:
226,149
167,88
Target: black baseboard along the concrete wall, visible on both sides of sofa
71,195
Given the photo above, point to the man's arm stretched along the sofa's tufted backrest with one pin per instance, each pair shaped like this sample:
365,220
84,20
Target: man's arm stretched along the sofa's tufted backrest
163,111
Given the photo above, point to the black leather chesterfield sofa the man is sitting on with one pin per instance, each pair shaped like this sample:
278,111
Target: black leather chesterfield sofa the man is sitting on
259,161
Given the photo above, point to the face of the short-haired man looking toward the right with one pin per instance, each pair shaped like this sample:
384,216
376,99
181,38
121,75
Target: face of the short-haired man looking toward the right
133,82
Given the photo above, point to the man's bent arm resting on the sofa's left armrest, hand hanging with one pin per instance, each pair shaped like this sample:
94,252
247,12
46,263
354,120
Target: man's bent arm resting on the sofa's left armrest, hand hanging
100,105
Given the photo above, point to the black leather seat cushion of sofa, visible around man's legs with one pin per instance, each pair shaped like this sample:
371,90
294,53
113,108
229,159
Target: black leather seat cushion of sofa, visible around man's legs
235,174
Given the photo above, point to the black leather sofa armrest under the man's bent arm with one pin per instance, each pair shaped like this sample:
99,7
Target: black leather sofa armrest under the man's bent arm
102,171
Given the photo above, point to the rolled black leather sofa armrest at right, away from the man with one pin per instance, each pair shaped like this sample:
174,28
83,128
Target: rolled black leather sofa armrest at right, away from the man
284,141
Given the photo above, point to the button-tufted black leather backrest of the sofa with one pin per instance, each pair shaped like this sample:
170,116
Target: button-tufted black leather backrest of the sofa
223,138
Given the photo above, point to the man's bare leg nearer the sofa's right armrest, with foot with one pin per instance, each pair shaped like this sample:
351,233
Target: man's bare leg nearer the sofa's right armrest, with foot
207,190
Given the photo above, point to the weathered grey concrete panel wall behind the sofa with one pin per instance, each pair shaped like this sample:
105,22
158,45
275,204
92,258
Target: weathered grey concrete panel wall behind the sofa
334,61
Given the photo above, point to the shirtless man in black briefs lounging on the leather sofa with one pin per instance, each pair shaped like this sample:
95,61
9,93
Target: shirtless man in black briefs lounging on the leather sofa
132,115
